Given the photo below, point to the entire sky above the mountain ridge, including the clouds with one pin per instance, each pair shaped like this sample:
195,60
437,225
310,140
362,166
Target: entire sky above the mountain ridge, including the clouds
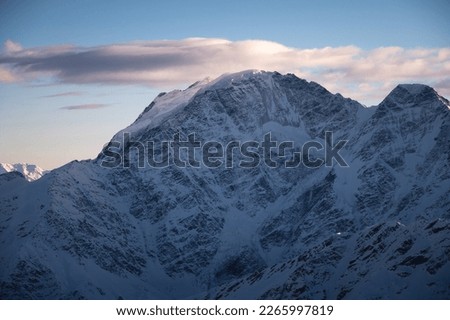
73,73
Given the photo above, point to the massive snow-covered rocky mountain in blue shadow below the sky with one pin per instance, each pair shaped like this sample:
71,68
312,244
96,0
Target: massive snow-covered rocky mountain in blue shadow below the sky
379,228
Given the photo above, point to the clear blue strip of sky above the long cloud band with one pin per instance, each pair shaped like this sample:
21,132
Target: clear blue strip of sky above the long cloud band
296,23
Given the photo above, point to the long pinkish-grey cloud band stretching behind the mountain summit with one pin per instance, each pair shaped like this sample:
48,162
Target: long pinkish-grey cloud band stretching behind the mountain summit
365,75
